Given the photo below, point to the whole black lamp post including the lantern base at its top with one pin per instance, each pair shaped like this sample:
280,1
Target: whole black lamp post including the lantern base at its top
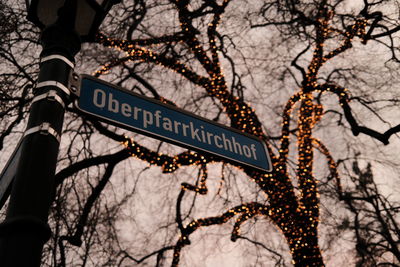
65,24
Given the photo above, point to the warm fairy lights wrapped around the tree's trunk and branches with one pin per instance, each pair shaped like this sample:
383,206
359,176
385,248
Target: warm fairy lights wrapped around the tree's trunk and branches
294,211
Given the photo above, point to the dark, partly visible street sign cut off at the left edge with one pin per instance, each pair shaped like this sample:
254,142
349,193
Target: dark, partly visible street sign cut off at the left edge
8,174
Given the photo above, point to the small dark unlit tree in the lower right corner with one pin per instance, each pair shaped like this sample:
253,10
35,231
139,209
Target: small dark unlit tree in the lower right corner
374,223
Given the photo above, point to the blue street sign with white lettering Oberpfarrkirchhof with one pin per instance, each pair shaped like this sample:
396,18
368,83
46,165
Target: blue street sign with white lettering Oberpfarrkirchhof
120,107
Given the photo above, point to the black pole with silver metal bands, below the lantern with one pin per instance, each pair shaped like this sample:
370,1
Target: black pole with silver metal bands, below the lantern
25,229
